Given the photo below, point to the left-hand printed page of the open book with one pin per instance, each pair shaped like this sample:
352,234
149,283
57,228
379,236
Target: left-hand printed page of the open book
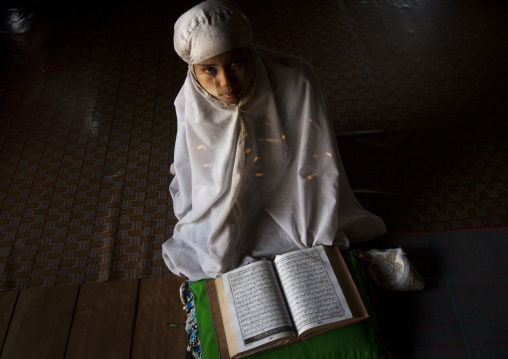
258,310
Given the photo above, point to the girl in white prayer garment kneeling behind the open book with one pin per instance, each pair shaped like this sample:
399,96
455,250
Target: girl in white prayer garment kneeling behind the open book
257,168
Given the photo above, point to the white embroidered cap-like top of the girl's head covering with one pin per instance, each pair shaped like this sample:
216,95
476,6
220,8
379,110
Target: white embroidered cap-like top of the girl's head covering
209,29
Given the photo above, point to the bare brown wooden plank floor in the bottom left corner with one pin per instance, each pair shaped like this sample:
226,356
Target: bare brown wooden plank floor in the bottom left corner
119,319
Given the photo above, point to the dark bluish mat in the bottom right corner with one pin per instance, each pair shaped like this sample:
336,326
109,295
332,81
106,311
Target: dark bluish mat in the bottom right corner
461,313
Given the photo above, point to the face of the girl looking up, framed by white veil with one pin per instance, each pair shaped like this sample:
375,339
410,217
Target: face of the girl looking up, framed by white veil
226,76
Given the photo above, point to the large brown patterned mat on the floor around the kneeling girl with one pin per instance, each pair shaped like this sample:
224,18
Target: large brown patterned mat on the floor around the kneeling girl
417,94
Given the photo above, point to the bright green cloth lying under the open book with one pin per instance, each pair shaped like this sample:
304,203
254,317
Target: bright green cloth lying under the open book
360,340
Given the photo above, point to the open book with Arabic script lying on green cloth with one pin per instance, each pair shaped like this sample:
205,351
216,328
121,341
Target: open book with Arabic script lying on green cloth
264,305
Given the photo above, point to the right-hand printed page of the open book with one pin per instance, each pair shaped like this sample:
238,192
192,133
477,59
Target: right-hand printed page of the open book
311,288
